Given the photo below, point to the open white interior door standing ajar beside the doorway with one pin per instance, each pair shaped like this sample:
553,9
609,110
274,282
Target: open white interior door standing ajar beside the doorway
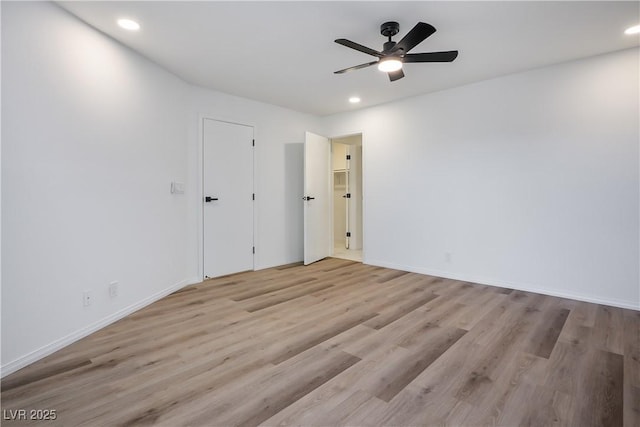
317,198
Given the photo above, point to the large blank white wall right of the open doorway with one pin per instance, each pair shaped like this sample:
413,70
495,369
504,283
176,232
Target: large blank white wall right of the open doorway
528,181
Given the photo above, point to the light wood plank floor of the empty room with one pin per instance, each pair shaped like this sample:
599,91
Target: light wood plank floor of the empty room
340,343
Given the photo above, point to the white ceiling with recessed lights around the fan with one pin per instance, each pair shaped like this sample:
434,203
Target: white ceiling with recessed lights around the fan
283,52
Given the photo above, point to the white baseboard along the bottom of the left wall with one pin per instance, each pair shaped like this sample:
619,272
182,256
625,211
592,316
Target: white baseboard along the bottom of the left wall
58,344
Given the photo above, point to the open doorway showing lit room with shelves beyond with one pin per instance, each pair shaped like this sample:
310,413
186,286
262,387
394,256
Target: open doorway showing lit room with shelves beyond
347,197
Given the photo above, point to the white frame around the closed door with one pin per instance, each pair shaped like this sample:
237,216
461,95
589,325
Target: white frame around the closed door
200,189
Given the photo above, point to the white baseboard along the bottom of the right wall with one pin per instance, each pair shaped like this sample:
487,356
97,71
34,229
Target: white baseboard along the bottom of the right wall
506,284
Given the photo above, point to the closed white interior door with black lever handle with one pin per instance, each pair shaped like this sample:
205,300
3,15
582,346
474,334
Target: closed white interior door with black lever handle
228,198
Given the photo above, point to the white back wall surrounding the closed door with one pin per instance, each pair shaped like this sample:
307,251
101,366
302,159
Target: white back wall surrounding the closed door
279,135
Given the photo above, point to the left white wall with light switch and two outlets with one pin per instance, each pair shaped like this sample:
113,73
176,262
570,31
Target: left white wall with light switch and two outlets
92,135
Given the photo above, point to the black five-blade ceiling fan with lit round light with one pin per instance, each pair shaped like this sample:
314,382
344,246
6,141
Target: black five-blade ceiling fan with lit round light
394,54
